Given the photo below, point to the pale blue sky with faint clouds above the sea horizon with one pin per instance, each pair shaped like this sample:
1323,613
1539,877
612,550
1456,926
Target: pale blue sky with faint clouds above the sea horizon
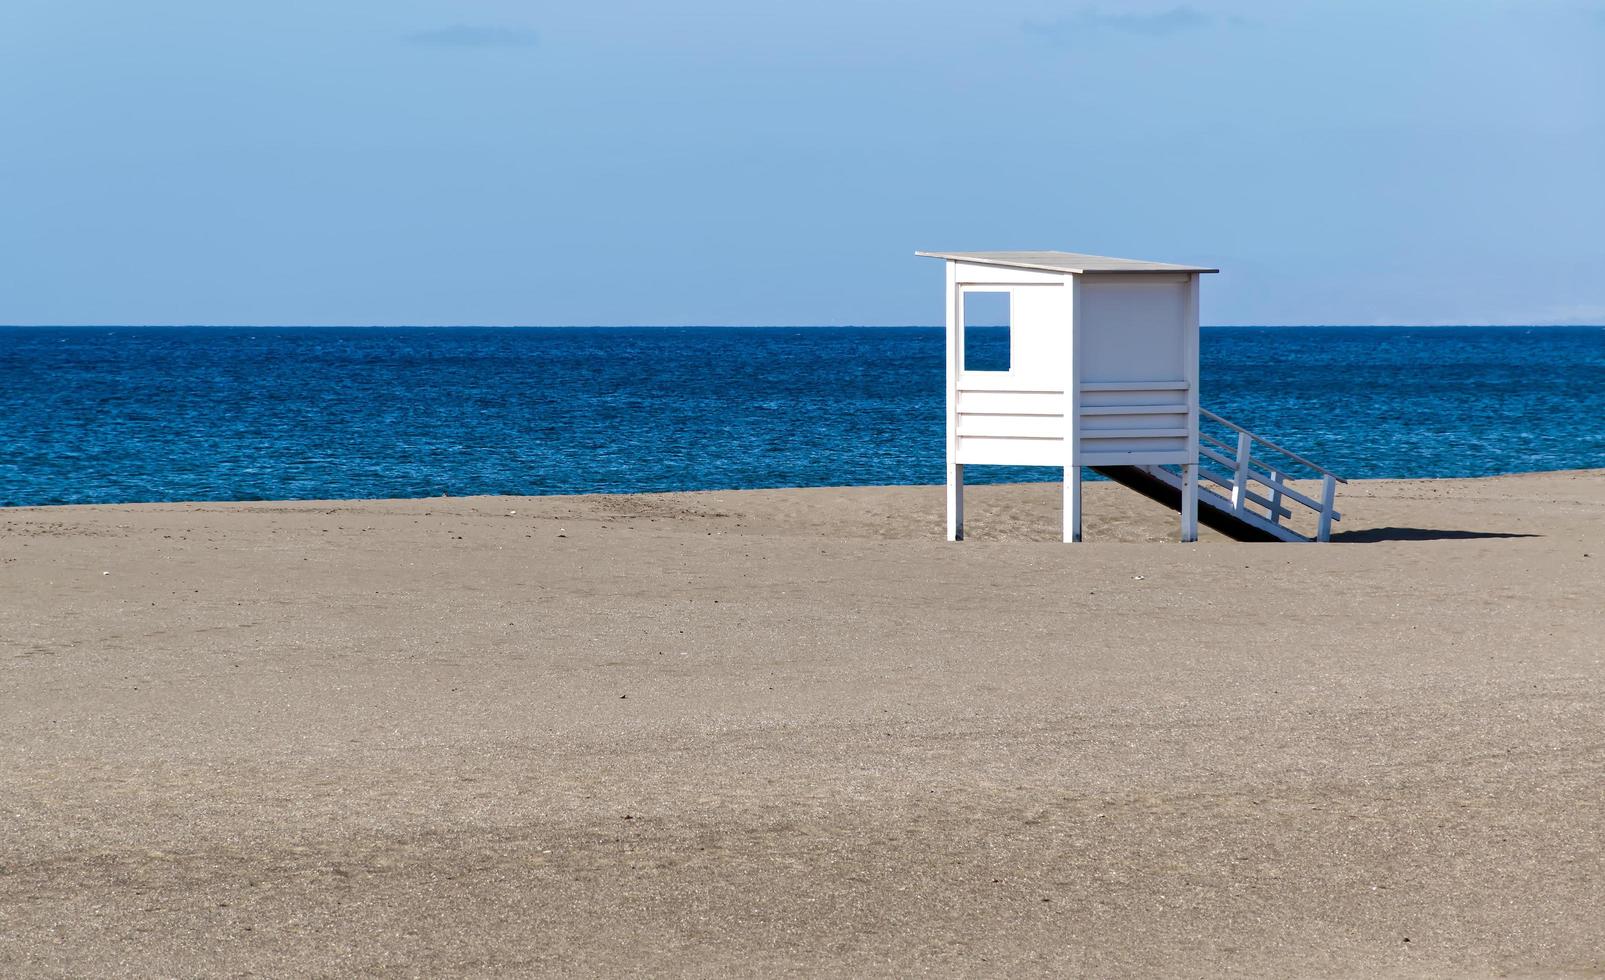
746,163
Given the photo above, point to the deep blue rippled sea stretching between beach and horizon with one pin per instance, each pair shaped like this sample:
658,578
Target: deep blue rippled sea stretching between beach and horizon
115,415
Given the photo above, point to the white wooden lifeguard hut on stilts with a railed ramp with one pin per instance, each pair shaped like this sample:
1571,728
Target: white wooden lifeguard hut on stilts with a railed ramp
1103,373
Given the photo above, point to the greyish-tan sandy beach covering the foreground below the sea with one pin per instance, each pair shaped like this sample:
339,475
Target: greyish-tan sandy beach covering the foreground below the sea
798,734
